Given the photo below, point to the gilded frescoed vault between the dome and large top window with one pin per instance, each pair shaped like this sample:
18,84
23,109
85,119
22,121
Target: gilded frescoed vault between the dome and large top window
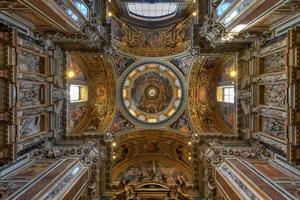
151,42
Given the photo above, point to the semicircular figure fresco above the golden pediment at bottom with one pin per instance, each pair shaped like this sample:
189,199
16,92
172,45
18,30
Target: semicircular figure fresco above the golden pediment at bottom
152,171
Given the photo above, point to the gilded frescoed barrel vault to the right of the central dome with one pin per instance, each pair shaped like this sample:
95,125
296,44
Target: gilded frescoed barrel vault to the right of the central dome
203,92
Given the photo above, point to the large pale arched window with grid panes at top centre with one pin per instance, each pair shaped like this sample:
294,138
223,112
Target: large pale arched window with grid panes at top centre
154,10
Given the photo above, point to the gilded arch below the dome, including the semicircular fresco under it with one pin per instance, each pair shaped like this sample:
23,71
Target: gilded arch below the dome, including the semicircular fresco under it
144,151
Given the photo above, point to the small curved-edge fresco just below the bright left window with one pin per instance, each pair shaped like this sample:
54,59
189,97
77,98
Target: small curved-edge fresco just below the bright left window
76,113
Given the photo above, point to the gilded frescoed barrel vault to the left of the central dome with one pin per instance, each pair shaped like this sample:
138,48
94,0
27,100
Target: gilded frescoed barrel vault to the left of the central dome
96,114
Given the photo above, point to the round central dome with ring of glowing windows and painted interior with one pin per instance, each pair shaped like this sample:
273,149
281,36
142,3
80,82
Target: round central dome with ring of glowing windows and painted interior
152,92
